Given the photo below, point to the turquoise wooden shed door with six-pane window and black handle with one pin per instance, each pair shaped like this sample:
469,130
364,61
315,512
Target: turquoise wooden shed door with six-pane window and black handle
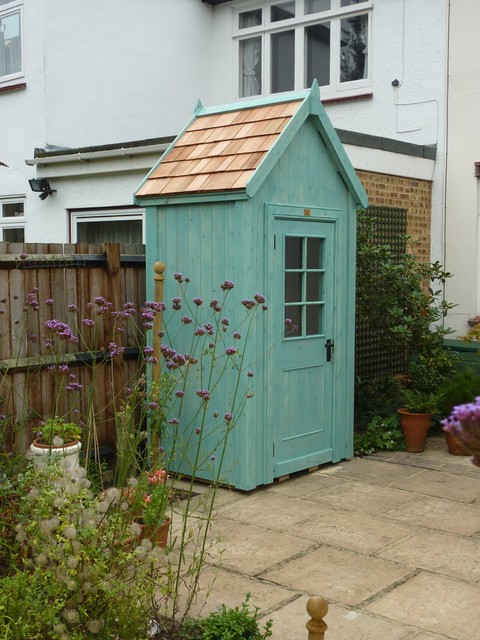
300,386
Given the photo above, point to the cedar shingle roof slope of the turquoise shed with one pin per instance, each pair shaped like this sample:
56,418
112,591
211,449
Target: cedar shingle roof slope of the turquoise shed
219,152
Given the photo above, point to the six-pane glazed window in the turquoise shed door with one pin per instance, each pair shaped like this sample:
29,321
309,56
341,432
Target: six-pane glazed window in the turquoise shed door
304,286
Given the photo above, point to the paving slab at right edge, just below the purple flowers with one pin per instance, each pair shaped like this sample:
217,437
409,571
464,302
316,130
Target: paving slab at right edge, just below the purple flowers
442,485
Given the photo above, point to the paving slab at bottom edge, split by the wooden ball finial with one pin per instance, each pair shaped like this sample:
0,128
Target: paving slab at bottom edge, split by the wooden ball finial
343,624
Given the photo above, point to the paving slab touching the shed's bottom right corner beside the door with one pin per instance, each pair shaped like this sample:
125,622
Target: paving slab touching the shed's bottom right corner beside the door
372,471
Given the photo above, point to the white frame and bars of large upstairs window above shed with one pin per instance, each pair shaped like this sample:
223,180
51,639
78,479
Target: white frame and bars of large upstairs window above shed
335,89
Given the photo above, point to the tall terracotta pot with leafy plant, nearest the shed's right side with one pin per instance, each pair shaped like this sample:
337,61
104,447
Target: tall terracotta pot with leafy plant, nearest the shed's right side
415,417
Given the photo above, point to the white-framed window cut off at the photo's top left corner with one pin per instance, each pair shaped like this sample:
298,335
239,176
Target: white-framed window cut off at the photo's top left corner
11,63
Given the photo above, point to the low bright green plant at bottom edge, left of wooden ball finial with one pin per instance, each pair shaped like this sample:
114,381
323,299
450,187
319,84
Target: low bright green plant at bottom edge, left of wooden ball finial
235,623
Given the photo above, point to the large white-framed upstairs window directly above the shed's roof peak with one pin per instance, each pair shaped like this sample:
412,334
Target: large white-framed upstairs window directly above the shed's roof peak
284,46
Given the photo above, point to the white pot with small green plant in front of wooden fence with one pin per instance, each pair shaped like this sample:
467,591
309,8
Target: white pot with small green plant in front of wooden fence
59,440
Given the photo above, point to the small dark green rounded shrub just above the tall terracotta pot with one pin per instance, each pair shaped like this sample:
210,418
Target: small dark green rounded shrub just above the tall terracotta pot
431,368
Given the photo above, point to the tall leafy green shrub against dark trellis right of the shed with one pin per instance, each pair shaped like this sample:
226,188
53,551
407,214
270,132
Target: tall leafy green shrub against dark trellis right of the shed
393,296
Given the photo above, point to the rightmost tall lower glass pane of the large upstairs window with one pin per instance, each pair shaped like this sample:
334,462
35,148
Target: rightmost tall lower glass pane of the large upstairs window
353,48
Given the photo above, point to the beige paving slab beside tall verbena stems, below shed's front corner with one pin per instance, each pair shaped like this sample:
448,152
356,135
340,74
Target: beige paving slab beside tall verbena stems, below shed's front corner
250,549
